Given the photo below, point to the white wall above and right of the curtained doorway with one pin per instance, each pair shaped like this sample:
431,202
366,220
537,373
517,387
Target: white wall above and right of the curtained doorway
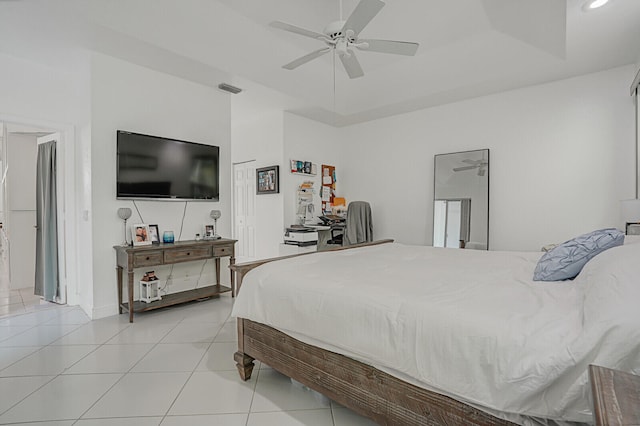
34,94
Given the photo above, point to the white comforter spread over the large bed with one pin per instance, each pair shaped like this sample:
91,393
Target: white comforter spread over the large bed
470,324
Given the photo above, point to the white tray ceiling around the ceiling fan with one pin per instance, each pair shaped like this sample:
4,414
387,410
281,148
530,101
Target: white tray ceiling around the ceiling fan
468,48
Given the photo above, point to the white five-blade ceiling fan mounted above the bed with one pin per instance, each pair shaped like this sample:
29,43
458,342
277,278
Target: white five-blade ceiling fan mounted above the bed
342,36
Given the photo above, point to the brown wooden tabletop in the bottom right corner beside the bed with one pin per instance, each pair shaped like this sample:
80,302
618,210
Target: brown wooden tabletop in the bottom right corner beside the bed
616,396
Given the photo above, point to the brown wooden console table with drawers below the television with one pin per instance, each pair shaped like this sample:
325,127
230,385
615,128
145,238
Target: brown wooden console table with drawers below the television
129,258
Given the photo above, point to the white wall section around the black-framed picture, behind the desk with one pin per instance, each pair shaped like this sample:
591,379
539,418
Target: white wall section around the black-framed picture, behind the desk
261,131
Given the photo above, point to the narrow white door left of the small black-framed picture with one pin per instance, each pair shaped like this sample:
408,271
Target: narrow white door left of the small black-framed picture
244,210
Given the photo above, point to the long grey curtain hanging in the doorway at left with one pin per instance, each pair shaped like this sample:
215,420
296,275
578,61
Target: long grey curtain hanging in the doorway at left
47,282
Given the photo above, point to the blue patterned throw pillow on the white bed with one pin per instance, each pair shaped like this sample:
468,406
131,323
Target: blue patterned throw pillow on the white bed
566,260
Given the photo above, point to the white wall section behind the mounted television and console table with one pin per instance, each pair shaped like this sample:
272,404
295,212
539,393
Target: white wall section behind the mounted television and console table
130,97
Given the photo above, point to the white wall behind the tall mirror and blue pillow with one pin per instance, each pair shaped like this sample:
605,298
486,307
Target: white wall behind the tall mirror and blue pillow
561,159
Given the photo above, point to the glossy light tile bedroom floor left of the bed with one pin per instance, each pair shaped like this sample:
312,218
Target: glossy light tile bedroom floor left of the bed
170,367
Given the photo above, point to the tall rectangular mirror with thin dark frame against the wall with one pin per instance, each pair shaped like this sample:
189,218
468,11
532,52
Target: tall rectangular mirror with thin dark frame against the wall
461,200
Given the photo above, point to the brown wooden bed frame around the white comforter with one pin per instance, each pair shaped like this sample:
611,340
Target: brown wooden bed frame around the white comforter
368,391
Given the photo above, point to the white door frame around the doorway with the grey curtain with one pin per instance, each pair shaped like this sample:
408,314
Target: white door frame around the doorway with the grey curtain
65,171
